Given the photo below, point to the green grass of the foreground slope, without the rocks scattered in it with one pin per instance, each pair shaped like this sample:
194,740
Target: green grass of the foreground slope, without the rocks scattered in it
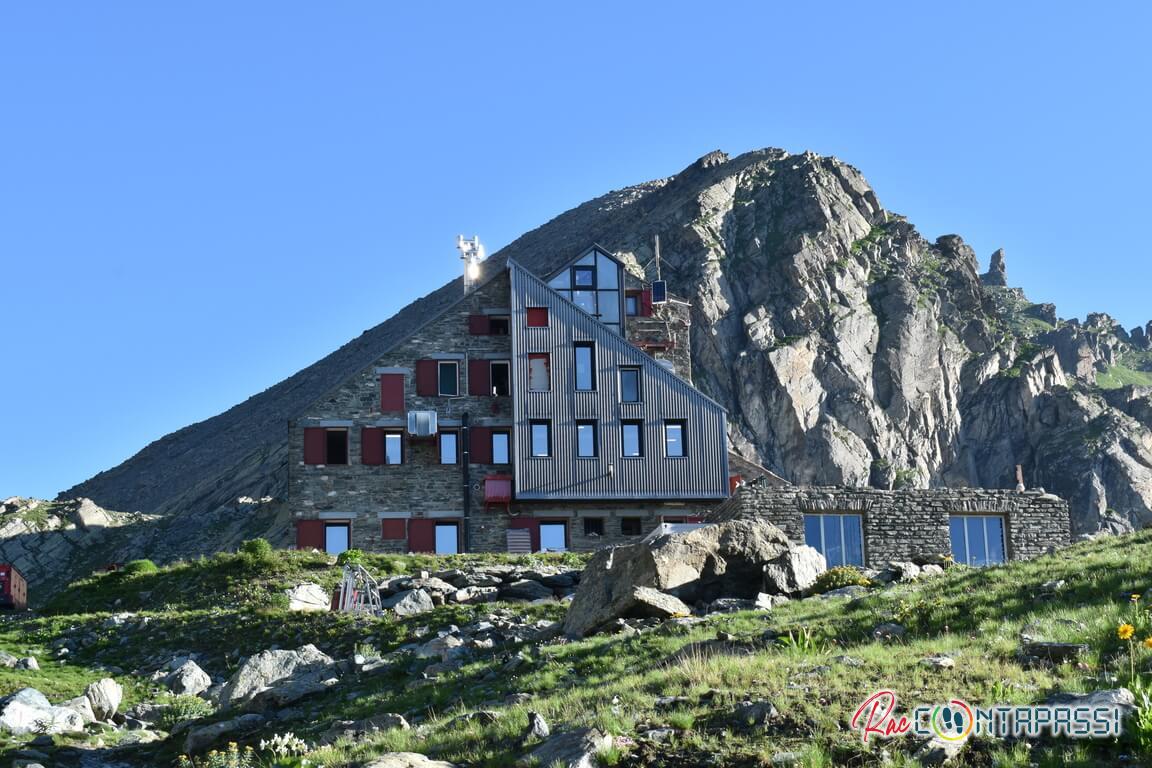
613,682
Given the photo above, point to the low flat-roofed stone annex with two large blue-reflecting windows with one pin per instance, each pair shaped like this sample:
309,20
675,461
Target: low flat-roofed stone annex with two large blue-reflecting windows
870,528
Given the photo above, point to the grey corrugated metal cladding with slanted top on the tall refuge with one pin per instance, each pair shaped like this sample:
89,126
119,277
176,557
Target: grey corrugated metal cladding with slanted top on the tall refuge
702,475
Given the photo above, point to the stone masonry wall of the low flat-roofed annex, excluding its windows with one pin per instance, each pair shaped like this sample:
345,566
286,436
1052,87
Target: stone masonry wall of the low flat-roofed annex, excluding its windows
910,524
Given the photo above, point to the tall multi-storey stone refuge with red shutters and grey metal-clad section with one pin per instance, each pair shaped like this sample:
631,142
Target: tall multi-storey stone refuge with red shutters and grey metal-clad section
532,415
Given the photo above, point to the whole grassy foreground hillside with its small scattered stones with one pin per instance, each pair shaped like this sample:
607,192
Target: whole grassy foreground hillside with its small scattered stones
755,688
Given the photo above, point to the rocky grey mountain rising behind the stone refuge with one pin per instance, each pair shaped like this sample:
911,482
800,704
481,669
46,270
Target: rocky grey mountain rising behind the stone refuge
847,348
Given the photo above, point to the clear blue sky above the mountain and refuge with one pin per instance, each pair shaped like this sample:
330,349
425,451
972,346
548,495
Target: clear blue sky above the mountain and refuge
198,200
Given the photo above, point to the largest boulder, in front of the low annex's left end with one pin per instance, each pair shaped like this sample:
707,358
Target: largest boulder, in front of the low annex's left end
715,561
